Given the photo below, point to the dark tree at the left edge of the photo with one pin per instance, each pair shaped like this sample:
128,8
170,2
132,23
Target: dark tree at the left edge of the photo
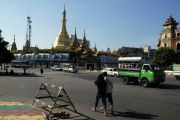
5,55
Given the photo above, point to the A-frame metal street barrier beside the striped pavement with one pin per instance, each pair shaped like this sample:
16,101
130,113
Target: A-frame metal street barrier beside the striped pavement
52,100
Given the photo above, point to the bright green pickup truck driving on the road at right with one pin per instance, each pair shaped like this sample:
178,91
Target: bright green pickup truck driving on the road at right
147,75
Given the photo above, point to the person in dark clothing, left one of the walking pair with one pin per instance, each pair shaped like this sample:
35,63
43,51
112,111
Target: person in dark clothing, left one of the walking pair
101,91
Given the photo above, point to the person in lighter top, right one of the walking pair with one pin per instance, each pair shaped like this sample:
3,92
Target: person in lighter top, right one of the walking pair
109,93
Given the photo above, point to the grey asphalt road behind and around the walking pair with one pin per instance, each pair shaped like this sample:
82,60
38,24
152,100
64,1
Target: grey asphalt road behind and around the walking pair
130,101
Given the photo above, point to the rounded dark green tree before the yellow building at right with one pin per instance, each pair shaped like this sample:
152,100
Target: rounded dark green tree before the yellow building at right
165,56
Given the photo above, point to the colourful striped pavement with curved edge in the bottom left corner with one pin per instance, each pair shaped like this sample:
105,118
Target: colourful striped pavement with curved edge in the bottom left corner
18,111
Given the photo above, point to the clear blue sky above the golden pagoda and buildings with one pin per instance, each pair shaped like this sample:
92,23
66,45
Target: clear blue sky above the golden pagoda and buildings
108,23
